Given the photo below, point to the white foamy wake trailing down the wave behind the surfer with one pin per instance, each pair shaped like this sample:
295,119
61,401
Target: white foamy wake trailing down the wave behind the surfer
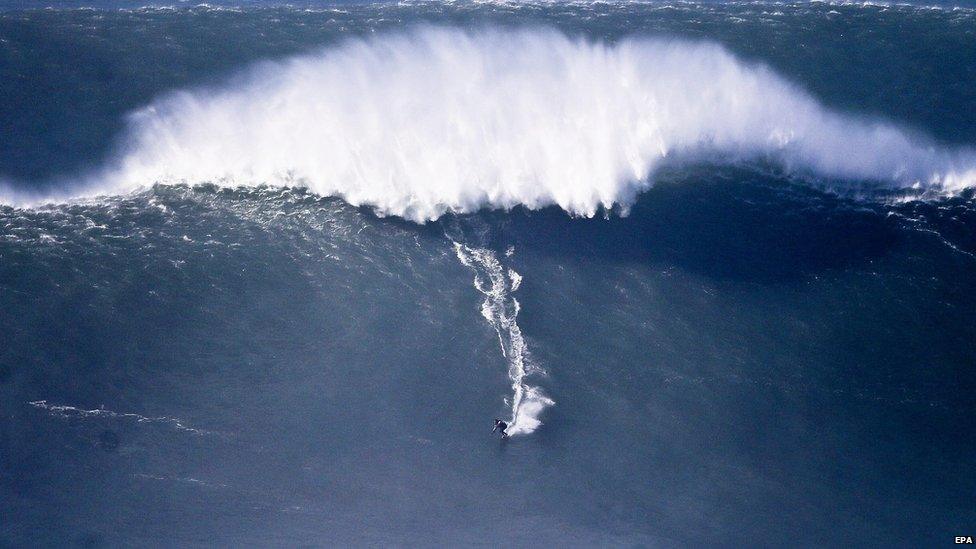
501,310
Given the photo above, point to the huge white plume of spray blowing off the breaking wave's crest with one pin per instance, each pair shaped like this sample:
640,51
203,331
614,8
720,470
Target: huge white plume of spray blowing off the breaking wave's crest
436,120
